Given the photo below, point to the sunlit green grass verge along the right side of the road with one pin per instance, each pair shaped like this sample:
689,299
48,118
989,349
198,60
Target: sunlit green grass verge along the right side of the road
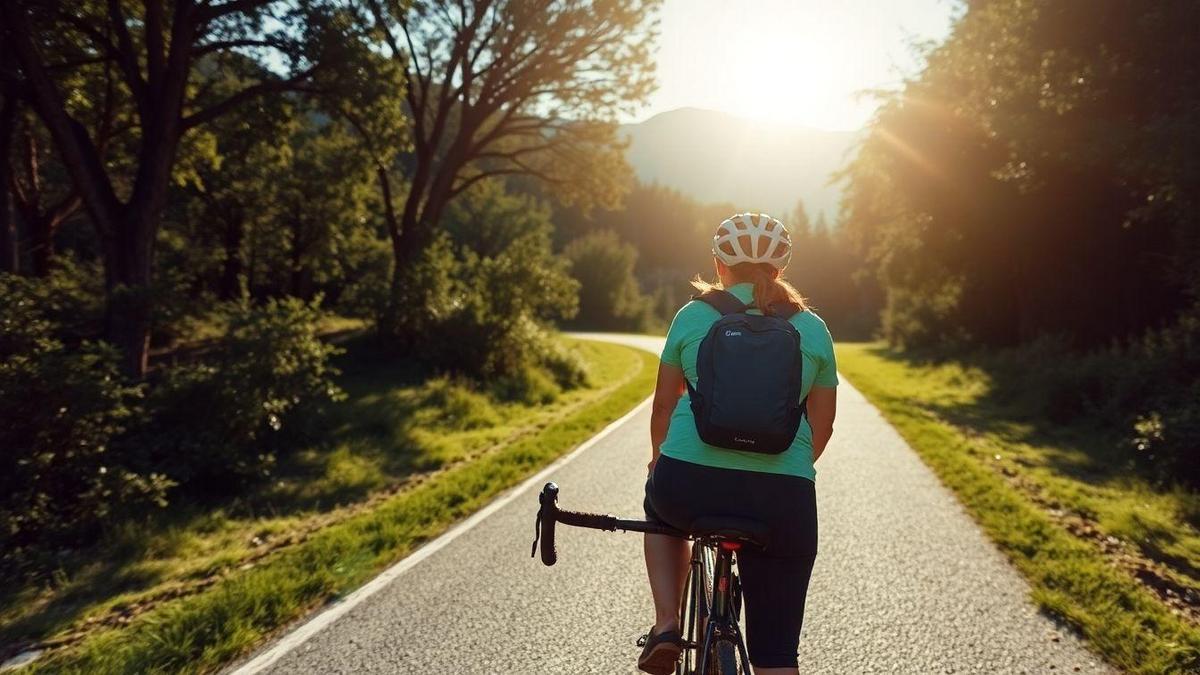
1078,525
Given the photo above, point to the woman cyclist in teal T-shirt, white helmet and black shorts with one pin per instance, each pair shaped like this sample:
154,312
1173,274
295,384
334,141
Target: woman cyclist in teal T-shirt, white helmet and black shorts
689,480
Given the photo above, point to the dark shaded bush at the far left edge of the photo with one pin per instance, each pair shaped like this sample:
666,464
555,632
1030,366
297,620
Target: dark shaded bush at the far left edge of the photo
63,473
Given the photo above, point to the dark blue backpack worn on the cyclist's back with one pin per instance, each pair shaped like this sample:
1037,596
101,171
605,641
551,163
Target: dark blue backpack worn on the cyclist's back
748,379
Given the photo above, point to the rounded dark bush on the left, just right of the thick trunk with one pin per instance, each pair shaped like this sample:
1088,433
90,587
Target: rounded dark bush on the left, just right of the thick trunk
220,423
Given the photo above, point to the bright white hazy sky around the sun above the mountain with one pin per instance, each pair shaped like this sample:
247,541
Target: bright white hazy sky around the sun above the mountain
790,61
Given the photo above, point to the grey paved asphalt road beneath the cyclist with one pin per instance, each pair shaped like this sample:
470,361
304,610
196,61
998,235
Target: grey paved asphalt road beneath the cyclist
904,582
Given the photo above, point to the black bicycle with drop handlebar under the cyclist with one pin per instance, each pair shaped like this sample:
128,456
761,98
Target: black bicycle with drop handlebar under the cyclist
712,600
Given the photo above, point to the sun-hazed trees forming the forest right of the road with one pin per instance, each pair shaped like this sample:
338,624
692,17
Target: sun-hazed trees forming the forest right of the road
1033,198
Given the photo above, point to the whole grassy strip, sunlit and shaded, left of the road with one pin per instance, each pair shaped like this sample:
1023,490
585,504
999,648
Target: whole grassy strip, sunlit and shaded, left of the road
406,459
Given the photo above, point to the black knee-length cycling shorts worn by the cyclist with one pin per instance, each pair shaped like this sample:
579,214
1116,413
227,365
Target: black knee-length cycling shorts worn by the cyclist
775,582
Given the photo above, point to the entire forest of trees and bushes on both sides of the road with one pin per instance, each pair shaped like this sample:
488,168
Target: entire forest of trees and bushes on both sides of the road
200,198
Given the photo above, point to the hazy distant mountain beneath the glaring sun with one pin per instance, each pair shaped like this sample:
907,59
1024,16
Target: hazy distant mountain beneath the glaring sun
758,166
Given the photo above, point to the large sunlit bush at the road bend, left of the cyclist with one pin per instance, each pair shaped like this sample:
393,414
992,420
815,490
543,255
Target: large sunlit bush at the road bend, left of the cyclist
487,291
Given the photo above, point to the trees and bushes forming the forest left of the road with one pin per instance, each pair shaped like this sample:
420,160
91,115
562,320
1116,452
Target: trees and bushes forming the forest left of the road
197,195
